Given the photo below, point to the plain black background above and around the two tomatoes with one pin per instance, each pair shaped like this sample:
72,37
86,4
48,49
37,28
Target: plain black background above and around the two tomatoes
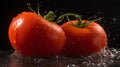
109,9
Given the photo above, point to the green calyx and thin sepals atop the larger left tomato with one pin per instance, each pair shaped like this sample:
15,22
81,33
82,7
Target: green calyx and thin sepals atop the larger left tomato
50,16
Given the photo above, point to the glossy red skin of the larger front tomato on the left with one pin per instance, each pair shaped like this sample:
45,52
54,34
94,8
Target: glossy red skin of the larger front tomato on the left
32,35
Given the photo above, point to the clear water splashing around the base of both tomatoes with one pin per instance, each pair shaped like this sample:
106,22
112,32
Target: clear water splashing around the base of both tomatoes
102,59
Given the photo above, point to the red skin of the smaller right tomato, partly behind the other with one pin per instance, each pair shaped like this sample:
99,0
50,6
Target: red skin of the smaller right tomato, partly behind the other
84,41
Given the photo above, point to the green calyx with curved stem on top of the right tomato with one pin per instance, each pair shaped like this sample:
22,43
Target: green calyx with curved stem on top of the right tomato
79,23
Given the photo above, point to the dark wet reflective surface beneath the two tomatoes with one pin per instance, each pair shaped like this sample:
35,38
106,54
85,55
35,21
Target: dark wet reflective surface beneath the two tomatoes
108,58
